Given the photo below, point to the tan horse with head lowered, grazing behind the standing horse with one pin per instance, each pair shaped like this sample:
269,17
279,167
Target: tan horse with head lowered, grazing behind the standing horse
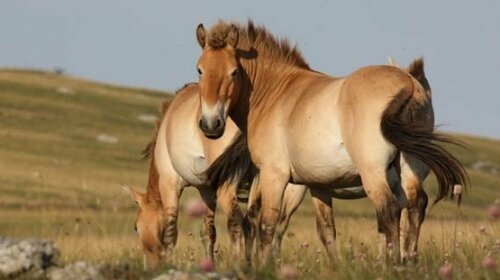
179,154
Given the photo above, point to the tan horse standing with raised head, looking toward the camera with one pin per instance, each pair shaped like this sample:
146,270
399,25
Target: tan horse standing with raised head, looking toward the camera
371,127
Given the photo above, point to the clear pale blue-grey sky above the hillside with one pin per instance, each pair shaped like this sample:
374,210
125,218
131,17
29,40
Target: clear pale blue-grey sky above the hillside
152,43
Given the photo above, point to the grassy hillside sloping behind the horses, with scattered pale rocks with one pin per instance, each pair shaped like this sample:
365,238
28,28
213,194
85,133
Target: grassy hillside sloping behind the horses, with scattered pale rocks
67,144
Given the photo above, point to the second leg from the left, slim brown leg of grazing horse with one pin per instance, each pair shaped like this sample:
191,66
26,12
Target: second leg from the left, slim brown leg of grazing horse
208,233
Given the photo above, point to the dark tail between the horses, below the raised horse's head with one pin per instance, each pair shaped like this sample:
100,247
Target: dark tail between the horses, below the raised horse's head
233,166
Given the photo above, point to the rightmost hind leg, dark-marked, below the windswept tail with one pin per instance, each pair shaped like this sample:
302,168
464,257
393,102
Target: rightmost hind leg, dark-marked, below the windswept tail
412,173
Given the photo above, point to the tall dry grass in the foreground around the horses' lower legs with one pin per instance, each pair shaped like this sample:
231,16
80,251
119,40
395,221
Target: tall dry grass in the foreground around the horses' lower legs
107,237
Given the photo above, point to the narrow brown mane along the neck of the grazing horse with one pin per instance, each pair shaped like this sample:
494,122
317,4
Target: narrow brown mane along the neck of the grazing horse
153,192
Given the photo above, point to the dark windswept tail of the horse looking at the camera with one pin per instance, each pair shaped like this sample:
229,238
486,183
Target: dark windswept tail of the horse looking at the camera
400,127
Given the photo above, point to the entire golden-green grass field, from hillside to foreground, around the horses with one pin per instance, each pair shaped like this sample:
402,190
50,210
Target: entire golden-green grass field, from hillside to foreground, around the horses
59,182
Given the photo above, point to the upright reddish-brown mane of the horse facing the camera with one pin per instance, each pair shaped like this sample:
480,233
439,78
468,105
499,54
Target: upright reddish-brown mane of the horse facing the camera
259,39
